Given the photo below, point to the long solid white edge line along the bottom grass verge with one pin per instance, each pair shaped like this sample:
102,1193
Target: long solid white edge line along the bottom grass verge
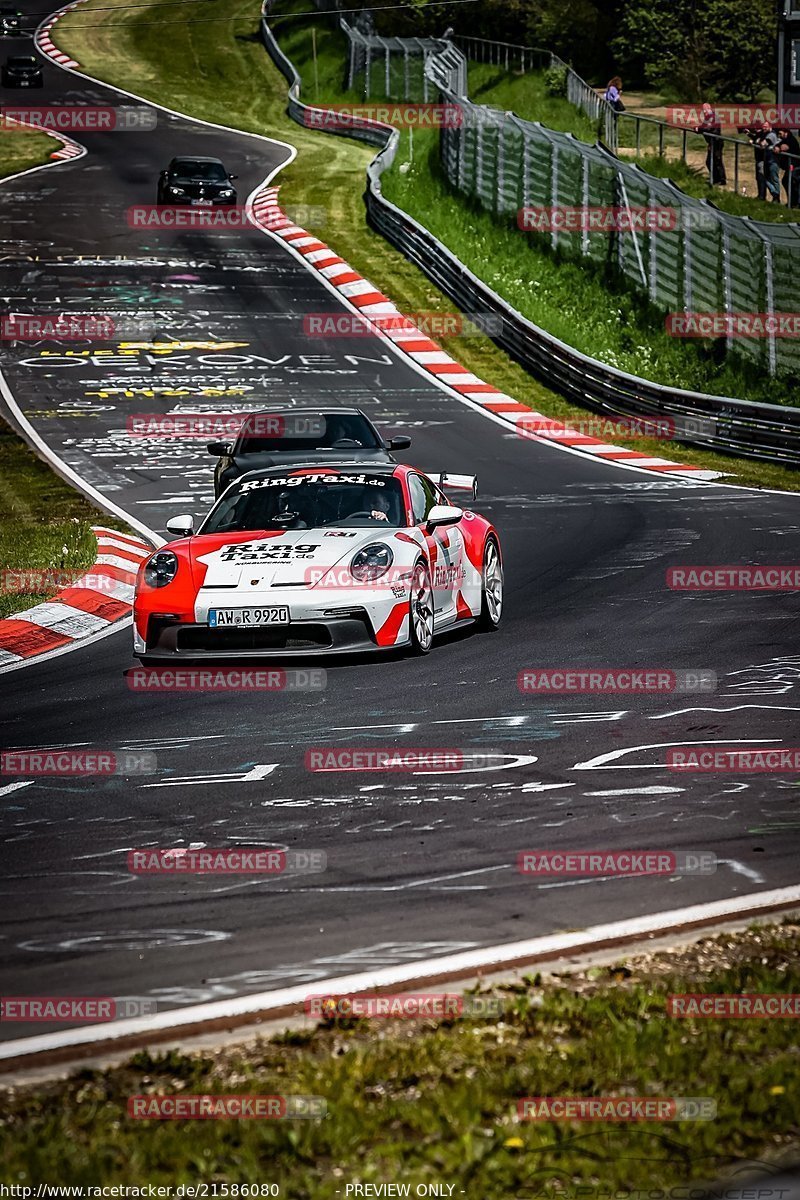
425,971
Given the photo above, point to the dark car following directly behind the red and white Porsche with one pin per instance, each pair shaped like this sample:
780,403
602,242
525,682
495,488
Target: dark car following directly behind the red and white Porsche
294,436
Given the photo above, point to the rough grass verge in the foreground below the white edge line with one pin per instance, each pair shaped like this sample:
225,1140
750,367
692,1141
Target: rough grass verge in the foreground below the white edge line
436,1101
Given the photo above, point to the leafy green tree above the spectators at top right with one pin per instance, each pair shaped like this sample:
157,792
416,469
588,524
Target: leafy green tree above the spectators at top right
697,50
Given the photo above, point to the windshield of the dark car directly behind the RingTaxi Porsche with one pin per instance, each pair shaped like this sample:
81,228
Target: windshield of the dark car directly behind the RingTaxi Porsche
299,433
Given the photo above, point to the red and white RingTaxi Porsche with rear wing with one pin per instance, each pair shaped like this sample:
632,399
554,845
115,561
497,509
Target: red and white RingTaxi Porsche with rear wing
310,561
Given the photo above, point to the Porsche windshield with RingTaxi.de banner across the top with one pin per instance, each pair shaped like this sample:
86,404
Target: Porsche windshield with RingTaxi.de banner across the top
310,502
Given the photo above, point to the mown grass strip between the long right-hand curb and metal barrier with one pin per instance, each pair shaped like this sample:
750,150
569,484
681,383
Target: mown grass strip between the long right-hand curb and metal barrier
221,73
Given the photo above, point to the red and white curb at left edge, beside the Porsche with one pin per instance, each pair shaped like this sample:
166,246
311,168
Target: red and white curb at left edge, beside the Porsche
97,601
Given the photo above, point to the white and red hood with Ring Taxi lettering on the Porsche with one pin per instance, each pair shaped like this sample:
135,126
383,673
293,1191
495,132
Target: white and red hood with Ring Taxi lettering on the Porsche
254,562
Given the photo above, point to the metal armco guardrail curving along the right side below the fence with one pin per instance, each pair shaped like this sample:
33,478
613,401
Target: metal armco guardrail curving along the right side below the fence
771,433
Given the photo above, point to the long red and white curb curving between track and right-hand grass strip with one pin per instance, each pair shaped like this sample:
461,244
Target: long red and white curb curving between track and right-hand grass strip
365,297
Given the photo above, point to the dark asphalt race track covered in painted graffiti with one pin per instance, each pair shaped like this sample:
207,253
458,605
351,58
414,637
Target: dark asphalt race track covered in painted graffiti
418,865
